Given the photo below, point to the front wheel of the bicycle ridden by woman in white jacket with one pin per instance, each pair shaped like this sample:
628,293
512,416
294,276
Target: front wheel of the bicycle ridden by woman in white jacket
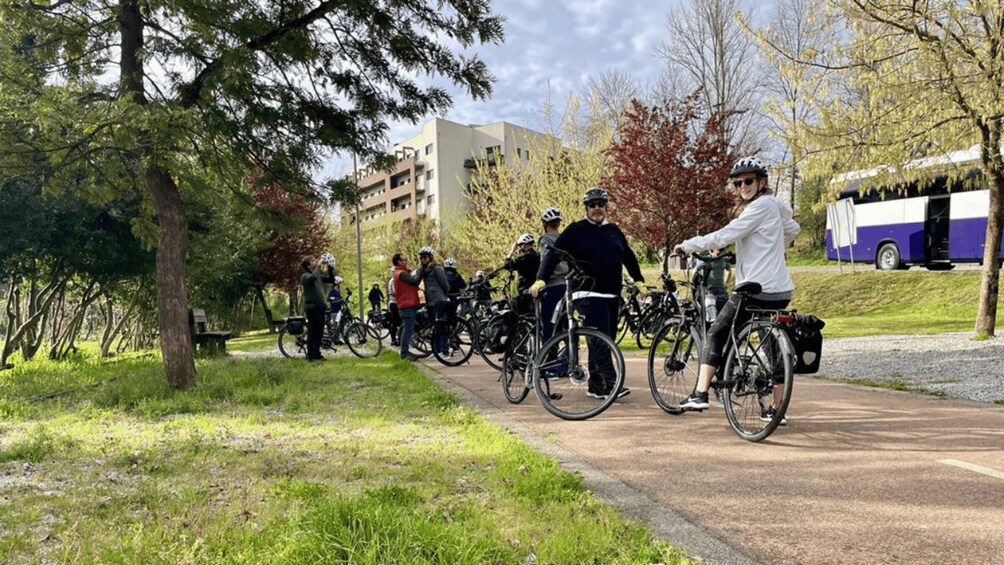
674,360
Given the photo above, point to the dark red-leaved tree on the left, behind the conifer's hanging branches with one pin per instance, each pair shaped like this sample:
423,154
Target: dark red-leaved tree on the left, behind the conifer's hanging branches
299,228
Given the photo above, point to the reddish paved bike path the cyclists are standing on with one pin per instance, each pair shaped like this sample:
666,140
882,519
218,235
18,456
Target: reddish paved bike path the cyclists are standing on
859,476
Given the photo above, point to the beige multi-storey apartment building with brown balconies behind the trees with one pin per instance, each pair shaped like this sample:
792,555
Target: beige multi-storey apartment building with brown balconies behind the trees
433,170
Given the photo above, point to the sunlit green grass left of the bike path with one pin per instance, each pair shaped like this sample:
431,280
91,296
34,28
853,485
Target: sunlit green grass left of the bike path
279,461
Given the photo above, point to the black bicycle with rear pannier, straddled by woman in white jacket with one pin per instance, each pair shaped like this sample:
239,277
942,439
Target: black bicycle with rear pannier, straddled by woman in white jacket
760,357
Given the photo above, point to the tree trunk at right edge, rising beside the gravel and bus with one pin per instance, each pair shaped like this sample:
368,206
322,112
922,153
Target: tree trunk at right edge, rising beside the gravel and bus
986,315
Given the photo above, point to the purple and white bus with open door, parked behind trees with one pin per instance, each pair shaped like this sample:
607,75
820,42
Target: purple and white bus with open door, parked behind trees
896,227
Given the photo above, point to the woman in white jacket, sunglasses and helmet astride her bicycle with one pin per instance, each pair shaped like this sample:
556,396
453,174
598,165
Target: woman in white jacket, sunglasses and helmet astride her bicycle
764,227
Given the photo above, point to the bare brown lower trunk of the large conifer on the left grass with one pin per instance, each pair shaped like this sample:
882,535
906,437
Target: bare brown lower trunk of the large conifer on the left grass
172,293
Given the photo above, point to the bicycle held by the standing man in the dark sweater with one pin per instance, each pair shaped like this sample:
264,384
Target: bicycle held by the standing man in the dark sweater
566,367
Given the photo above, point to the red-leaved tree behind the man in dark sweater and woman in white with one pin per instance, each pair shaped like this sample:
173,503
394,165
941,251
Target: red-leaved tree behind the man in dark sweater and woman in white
668,173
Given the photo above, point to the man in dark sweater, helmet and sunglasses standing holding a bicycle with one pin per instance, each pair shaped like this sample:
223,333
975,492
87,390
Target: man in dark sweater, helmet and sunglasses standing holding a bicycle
602,249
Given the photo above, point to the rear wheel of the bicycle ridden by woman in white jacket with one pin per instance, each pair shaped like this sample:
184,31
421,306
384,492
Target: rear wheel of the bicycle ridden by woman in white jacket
762,362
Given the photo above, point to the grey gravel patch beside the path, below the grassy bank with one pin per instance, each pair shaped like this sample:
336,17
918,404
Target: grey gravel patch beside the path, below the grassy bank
950,364
